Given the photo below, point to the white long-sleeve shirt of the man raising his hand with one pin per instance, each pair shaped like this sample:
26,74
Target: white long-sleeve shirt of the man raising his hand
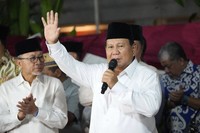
128,107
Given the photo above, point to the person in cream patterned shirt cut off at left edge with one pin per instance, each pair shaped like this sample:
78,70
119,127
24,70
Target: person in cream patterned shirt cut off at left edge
8,68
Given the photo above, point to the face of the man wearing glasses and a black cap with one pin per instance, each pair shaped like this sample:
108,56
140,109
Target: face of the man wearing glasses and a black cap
31,63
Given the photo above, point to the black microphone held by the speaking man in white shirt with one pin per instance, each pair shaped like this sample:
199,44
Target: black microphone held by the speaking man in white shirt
112,65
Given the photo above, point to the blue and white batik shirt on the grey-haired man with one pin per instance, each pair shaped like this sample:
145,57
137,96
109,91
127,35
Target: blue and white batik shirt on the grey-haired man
180,116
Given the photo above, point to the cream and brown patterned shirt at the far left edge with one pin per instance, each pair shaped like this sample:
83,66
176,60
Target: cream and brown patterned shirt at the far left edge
8,68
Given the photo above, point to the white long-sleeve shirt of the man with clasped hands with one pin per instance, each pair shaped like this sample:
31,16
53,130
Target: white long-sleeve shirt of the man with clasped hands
50,99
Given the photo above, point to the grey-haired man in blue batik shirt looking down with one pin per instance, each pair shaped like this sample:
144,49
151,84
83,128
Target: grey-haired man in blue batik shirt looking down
181,85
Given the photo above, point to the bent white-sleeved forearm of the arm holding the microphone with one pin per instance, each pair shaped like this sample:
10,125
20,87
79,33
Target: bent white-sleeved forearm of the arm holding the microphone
145,103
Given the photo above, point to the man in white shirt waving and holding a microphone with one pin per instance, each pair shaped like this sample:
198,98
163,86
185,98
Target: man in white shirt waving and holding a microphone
133,96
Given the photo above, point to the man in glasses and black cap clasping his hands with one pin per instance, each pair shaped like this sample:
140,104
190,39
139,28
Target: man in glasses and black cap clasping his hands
32,102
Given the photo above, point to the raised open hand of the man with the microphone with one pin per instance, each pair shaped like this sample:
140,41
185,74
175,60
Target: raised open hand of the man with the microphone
51,29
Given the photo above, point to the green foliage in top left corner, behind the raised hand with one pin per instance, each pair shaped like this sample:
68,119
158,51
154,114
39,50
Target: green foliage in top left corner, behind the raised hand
17,15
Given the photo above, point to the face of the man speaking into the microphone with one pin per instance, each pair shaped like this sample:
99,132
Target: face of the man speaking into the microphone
121,50
